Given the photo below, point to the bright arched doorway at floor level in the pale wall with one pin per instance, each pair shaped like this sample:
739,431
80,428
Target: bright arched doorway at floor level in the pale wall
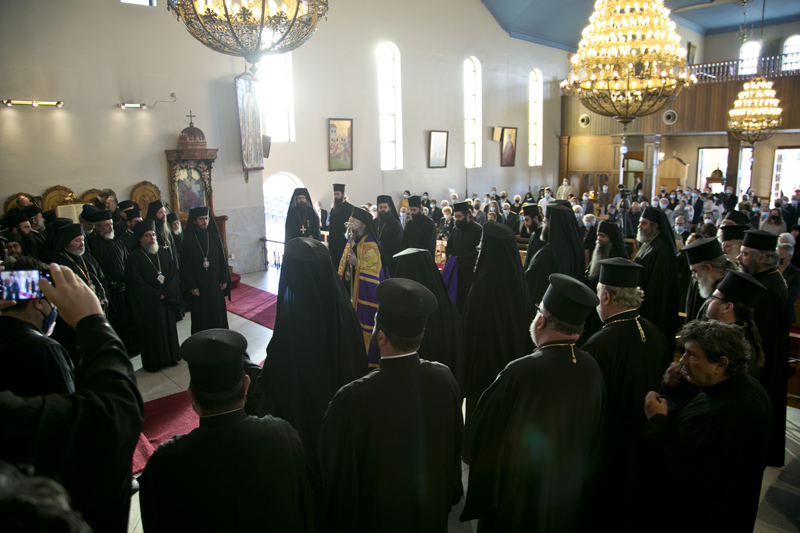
277,190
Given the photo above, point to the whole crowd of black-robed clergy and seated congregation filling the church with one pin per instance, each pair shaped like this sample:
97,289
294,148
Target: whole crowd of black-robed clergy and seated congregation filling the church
565,359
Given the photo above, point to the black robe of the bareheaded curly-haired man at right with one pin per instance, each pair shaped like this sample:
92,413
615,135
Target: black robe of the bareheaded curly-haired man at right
711,452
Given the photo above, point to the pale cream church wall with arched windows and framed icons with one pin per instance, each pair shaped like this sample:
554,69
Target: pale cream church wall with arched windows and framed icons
95,54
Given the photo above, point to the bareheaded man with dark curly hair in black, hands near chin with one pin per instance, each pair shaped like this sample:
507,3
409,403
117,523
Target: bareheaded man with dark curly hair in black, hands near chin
706,453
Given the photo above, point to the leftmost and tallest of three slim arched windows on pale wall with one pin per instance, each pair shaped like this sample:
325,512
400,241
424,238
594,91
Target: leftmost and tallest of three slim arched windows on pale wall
390,107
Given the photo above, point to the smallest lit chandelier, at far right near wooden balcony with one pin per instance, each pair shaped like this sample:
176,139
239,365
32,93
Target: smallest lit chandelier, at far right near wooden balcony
755,115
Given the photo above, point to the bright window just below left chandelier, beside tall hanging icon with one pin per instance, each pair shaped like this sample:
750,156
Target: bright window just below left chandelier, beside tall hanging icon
277,97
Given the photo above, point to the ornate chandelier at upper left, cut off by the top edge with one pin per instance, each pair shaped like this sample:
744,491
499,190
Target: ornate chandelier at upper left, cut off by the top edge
250,28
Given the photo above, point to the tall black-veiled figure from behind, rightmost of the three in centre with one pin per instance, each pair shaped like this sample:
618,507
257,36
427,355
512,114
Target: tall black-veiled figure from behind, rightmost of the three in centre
497,313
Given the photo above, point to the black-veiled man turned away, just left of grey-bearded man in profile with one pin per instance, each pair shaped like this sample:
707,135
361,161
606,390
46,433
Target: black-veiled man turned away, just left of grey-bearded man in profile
562,252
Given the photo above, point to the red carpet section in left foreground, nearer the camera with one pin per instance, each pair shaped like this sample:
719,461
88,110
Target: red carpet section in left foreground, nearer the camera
163,419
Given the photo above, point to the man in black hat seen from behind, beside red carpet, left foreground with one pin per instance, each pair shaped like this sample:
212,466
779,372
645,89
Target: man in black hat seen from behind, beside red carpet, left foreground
235,472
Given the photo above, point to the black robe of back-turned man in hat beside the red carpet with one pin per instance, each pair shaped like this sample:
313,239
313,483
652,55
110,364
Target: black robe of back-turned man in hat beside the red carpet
233,473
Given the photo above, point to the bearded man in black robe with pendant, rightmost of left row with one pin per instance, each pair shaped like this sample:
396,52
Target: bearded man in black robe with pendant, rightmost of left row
204,271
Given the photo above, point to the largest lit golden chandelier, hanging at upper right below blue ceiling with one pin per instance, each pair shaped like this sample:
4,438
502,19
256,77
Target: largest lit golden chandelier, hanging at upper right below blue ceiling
628,63
